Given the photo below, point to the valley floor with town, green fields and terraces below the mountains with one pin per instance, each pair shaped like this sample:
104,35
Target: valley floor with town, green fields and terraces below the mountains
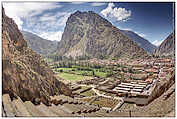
129,88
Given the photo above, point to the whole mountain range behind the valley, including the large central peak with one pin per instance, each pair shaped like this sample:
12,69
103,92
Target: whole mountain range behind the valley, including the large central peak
89,35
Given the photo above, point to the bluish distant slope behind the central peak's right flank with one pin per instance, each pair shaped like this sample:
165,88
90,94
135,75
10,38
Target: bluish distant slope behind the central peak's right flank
143,43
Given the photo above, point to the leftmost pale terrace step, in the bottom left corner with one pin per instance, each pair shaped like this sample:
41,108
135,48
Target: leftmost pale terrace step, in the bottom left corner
8,108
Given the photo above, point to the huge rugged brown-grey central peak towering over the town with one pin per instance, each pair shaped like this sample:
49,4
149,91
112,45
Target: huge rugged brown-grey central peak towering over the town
88,34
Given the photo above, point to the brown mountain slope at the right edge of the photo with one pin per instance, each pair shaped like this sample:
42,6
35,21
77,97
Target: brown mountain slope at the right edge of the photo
167,47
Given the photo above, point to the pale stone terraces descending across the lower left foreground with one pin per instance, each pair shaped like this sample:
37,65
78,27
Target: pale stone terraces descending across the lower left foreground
67,107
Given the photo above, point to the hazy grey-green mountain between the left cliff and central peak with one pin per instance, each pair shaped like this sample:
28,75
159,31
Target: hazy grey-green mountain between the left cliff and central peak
38,44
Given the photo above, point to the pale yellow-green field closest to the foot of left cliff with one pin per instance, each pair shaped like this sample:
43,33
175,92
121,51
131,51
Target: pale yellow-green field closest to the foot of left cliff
72,77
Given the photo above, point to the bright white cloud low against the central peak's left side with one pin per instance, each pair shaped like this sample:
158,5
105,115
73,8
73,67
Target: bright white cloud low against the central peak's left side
52,35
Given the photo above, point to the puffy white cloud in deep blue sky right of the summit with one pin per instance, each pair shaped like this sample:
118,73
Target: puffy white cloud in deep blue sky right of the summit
118,13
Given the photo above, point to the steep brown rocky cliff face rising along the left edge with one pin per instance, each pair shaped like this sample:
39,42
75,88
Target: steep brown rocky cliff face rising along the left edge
24,72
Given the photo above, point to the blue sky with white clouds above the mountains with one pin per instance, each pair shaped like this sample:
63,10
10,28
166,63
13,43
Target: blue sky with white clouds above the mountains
153,21
